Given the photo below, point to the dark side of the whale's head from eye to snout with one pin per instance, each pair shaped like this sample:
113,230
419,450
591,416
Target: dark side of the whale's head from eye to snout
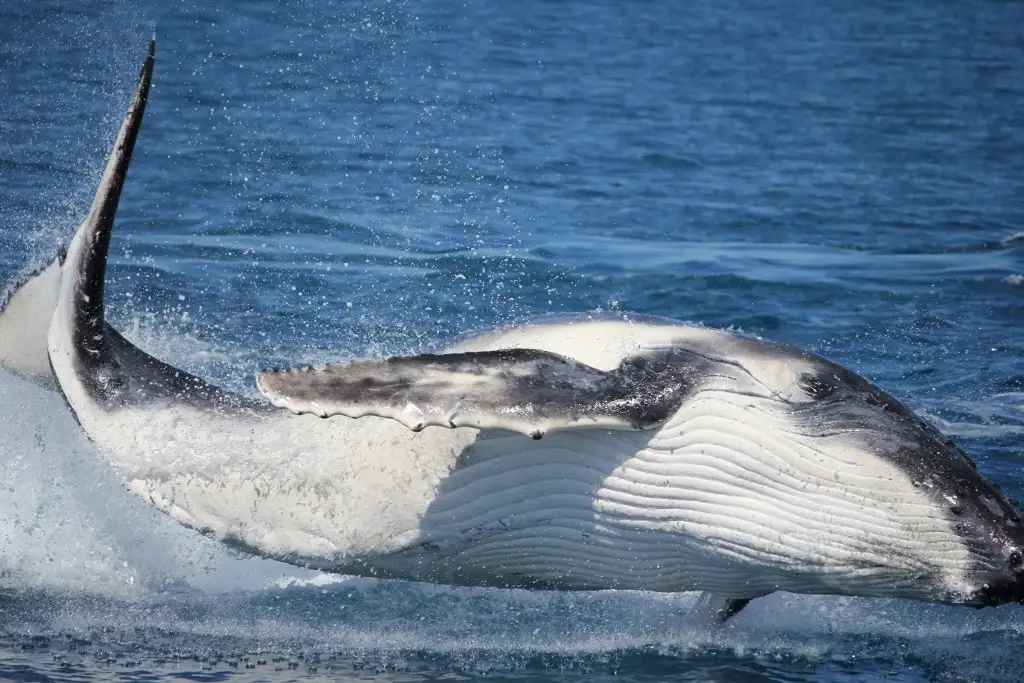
985,528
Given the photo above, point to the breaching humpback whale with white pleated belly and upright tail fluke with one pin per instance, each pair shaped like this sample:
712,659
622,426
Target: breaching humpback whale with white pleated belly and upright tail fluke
673,458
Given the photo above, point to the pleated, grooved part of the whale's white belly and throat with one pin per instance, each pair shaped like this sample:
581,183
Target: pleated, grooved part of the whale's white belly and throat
693,508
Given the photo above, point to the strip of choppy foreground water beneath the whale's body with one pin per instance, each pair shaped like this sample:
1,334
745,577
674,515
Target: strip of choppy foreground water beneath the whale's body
395,627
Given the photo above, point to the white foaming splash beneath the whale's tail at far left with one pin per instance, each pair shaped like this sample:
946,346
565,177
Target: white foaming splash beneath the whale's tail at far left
67,525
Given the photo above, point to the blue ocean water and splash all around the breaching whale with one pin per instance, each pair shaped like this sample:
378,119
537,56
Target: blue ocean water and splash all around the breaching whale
321,181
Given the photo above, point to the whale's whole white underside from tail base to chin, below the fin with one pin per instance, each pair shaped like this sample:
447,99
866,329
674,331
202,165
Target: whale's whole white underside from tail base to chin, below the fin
723,500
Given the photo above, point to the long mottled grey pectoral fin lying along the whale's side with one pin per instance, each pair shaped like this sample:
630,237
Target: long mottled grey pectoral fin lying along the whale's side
524,391
